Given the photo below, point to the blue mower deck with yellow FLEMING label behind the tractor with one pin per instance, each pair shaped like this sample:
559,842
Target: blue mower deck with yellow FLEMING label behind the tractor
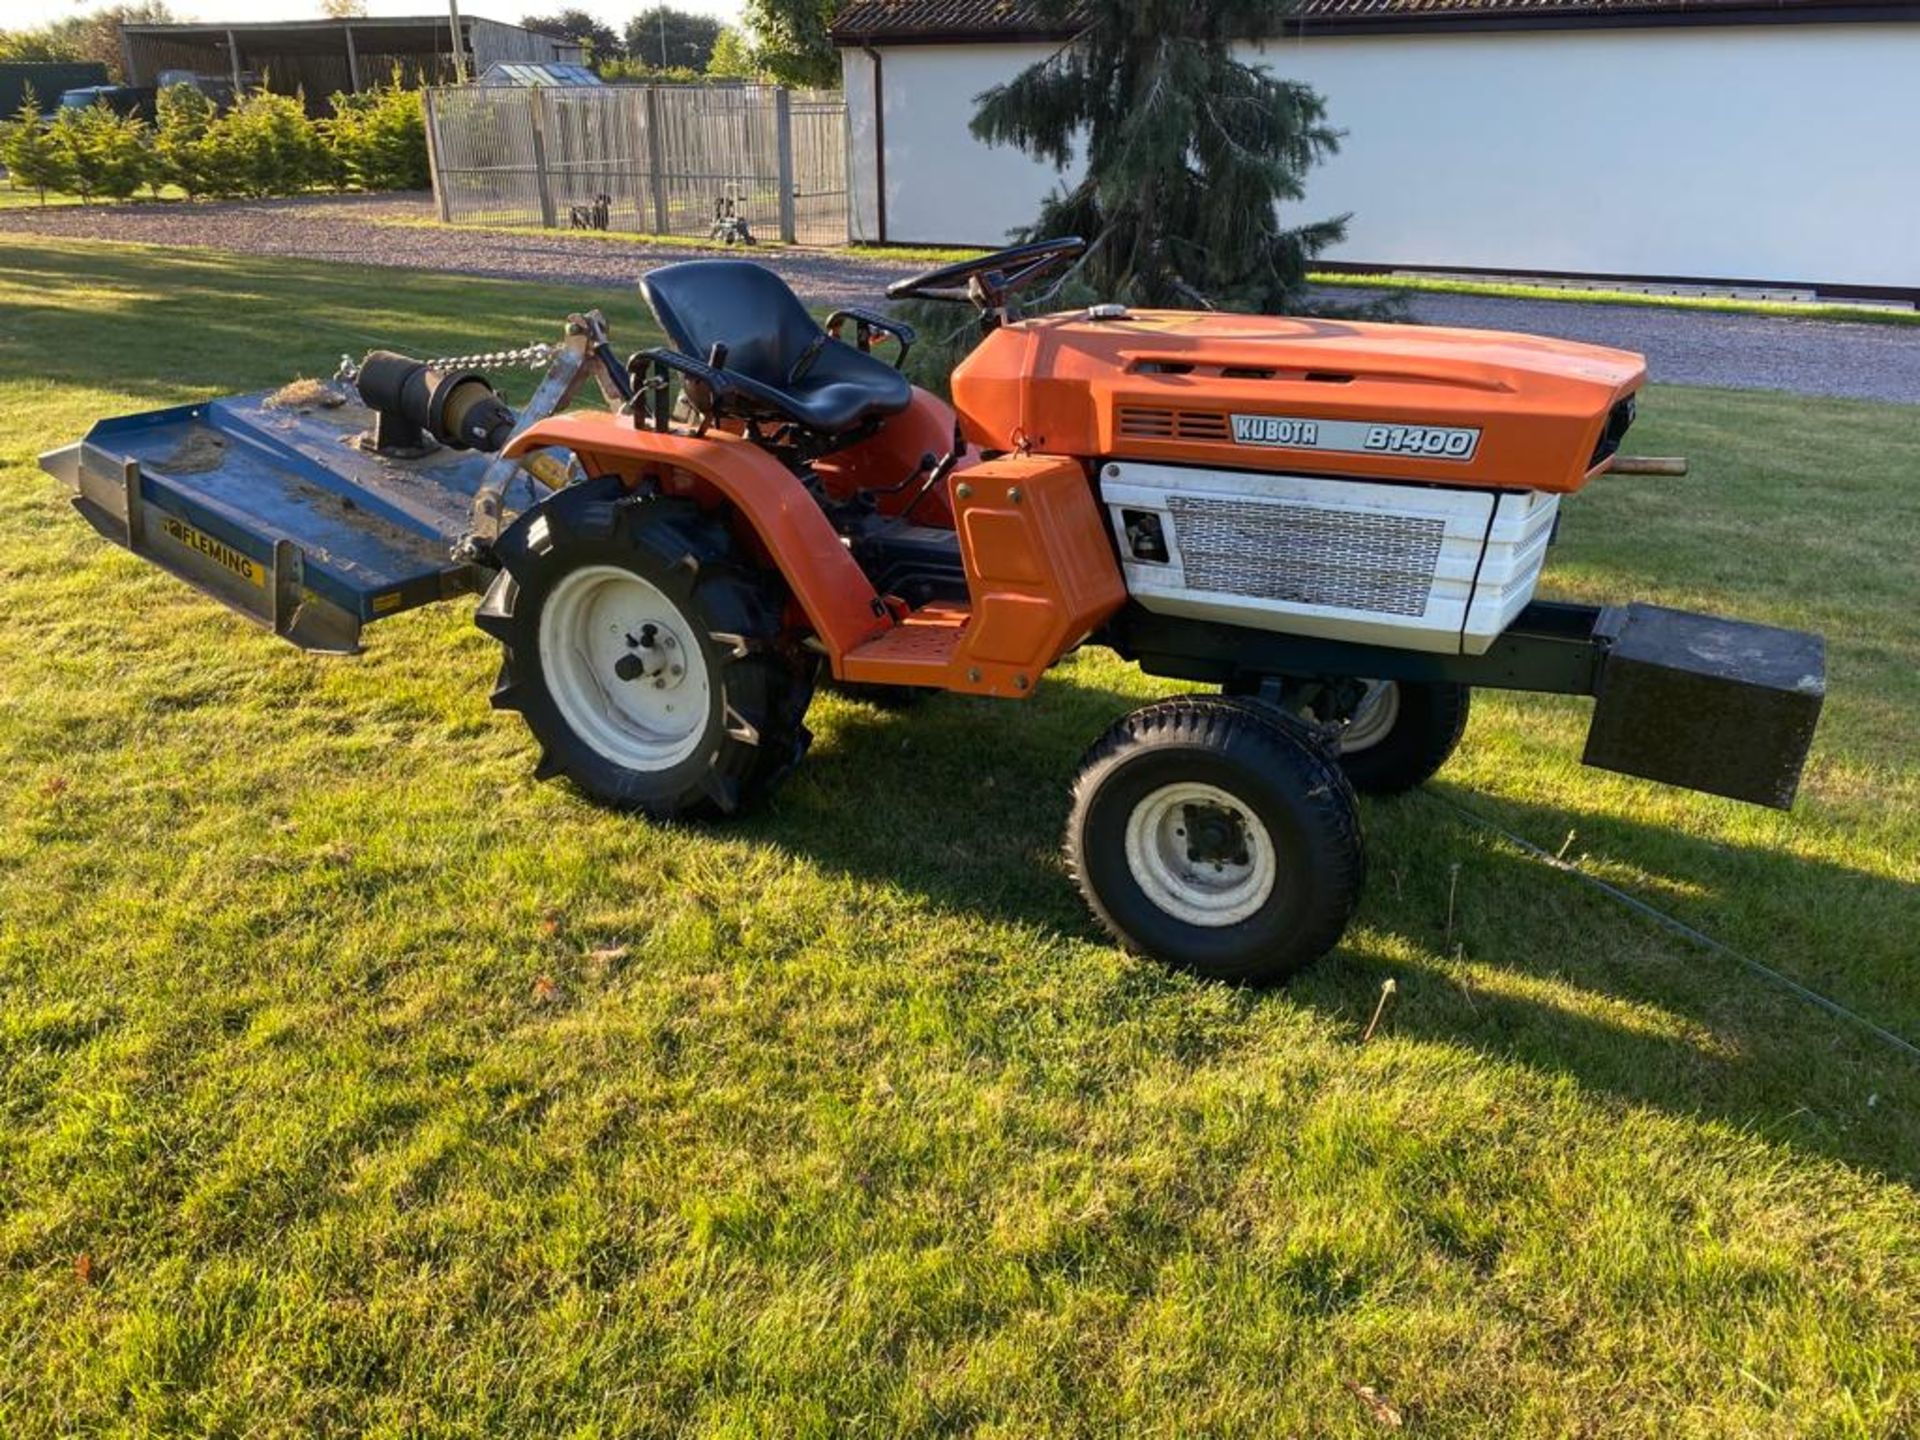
274,510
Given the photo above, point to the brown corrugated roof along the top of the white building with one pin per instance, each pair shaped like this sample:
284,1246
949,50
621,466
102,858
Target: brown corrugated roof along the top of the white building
865,22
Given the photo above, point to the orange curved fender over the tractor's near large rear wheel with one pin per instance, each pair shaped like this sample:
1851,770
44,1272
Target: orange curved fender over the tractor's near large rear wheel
832,590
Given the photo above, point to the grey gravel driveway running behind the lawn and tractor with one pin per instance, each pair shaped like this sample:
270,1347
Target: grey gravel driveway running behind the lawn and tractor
1744,352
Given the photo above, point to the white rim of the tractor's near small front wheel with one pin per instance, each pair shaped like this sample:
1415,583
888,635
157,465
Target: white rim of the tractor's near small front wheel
1201,855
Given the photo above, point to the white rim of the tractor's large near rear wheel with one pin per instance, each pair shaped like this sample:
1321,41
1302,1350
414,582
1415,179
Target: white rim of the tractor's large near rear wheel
625,669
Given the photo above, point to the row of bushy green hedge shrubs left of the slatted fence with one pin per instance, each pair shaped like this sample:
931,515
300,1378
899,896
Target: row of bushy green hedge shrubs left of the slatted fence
264,147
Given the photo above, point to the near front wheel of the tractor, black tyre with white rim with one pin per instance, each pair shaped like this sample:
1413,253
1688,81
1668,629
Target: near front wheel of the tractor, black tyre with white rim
1218,838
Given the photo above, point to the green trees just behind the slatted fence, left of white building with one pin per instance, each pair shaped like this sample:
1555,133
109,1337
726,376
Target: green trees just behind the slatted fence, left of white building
782,41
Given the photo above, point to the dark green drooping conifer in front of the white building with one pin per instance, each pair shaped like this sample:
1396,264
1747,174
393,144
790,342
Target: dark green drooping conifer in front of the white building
1189,153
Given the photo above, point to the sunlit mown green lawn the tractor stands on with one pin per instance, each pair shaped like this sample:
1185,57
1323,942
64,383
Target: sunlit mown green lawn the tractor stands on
354,1084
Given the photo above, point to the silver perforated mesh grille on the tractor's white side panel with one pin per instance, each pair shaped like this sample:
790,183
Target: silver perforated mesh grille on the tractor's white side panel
1307,556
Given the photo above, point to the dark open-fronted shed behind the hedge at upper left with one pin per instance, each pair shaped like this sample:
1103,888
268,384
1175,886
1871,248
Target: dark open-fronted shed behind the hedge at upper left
322,57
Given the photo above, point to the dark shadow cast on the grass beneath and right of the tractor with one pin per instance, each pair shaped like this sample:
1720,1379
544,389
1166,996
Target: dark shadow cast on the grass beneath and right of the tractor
963,804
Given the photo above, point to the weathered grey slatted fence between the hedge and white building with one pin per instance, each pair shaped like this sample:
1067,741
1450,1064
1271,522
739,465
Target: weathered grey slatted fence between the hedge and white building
661,158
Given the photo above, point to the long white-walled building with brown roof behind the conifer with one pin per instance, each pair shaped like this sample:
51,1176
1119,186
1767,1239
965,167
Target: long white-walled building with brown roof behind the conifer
1714,141
